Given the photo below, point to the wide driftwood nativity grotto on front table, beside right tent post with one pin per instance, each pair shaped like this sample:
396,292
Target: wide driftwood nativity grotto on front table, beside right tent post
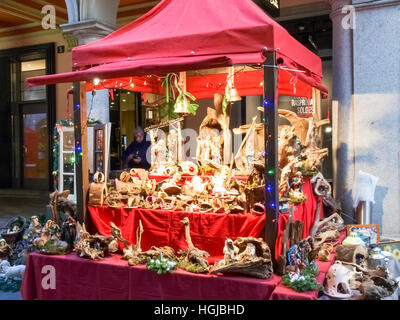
253,259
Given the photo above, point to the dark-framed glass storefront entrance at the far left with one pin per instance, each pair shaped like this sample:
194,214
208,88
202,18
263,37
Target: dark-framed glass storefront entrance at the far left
26,118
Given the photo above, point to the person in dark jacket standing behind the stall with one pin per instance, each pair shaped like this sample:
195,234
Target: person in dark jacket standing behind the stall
135,155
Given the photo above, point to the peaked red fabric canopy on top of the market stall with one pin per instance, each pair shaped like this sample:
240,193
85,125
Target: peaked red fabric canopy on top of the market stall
183,35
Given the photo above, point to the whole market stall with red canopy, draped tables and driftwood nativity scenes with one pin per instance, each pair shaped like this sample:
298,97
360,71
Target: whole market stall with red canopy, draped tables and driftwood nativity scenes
206,217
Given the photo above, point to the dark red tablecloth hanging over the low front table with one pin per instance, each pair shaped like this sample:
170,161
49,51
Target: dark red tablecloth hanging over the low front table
112,279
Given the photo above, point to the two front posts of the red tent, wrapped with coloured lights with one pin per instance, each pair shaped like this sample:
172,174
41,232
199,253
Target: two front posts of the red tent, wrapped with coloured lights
271,149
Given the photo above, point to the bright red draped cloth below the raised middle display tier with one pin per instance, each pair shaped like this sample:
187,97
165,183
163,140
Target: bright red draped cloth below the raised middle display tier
164,228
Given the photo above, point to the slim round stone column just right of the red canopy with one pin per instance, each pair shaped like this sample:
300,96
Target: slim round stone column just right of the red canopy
342,107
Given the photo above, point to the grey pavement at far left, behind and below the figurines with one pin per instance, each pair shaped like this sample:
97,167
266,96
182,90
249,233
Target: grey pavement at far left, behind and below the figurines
25,203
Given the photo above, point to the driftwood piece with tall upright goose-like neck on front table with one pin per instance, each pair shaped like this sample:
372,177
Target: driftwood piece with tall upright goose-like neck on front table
192,259
